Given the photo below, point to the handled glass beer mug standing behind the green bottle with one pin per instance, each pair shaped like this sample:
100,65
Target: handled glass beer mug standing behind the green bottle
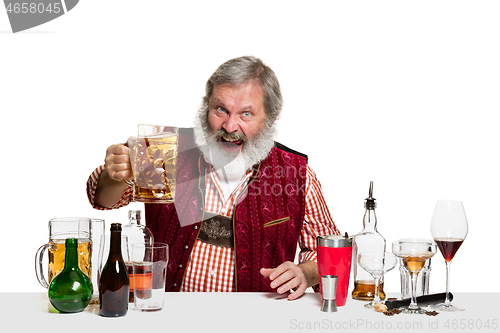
59,230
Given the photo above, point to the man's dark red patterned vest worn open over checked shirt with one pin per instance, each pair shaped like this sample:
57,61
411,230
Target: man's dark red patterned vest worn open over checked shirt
267,220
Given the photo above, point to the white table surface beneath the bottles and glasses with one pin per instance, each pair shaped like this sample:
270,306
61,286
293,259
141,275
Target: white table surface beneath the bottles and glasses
248,312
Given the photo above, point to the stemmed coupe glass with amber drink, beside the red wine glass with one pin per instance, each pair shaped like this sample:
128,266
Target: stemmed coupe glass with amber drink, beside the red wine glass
414,252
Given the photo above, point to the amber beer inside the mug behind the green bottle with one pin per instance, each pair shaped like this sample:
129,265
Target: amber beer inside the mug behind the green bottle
57,250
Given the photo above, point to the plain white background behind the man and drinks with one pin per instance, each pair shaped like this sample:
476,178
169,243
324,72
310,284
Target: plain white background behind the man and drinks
404,93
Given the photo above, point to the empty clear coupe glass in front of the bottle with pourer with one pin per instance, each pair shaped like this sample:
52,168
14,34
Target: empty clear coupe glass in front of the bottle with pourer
377,264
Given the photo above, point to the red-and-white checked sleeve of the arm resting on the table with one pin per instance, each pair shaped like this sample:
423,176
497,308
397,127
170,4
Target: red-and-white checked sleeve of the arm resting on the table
317,220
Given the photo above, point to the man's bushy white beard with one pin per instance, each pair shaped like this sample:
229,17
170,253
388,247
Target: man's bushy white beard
231,165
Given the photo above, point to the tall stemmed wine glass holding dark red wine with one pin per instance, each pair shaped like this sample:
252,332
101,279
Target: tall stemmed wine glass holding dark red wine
449,229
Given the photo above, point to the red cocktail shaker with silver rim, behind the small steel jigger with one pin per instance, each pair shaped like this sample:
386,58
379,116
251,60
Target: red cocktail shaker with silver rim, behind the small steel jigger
334,258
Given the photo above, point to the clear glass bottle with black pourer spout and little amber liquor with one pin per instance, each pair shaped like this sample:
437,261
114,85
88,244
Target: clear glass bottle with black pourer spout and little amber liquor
369,239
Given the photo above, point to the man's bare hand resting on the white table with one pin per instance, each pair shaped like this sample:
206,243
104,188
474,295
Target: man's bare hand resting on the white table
289,276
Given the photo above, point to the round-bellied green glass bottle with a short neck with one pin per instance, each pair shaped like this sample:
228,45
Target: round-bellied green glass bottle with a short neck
70,290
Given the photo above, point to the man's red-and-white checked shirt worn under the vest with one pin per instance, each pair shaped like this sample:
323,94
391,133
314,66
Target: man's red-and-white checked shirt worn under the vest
211,268
